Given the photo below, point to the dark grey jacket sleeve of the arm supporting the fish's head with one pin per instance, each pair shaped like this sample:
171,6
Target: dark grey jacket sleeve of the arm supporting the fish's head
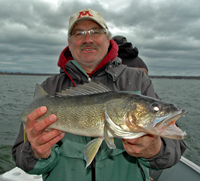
171,149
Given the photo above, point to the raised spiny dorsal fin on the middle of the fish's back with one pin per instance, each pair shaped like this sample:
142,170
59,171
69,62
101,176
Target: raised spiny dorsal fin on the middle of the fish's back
85,89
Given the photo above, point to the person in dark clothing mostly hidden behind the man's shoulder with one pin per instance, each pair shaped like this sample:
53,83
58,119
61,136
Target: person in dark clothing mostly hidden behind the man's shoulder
129,55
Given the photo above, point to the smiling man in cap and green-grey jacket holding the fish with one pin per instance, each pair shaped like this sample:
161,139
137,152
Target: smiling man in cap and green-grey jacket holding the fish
91,56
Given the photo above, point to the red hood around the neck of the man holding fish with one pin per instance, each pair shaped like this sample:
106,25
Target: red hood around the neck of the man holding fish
66,56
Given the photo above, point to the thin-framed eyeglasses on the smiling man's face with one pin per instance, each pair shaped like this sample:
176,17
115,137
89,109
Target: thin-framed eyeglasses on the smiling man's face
94,33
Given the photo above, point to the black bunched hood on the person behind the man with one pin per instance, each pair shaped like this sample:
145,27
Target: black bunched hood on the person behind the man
127,51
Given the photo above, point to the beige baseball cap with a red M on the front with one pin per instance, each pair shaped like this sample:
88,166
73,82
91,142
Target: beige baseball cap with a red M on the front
86,14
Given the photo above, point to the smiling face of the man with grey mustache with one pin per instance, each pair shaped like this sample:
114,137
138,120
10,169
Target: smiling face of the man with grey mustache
88,51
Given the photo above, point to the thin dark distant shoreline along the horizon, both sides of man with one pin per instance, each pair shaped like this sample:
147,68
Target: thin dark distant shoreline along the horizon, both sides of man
151,76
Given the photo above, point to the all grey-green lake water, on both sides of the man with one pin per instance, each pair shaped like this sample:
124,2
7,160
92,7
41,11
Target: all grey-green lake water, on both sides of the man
16,92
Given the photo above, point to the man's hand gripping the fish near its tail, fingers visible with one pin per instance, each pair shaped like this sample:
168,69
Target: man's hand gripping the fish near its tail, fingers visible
41,141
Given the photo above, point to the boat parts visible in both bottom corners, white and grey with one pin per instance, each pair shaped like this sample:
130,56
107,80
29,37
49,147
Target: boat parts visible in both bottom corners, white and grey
184,170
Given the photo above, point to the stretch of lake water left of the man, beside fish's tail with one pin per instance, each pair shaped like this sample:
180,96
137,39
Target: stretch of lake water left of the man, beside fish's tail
16,92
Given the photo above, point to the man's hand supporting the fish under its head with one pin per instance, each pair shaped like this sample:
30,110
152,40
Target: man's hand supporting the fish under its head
146,146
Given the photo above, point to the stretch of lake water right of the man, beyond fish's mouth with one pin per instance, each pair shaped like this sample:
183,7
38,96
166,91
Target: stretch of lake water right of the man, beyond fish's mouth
185,93
